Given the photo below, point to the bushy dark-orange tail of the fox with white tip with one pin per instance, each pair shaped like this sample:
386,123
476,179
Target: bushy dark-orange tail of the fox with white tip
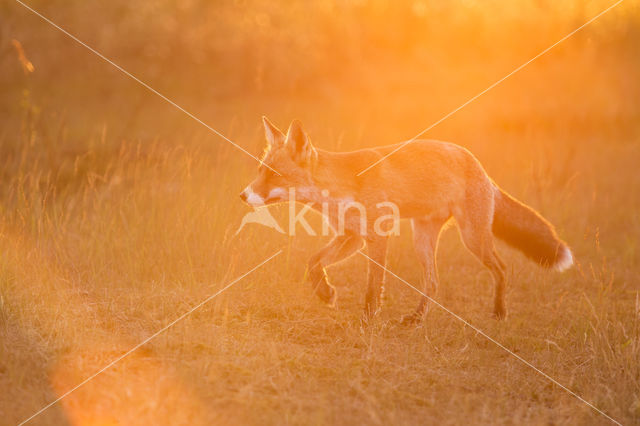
526,230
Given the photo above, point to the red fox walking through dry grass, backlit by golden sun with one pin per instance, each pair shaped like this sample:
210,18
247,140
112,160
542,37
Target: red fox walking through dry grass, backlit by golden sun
431,182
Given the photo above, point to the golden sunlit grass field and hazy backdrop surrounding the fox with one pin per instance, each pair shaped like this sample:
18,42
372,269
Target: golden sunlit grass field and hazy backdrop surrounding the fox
118,213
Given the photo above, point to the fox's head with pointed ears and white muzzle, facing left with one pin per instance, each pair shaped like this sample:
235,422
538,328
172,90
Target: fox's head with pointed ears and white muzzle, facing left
288,162
